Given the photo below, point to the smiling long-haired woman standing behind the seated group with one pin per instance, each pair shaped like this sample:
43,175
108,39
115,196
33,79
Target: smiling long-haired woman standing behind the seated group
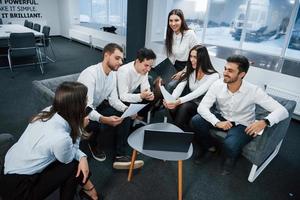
179,40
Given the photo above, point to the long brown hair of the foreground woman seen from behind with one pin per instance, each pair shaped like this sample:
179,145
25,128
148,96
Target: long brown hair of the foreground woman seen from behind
69,102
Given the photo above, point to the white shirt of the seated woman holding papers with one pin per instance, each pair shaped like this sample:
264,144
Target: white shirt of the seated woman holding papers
197,87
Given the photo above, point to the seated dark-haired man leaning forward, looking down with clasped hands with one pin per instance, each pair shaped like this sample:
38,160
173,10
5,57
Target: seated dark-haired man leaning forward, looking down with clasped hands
134,75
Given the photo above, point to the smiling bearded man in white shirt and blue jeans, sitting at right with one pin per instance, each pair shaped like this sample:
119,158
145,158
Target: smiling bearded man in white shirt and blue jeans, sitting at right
235,99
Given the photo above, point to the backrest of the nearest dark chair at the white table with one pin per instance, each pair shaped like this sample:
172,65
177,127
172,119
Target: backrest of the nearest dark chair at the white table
22,44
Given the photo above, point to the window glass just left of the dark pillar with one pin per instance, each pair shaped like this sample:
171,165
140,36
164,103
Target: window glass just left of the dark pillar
104,13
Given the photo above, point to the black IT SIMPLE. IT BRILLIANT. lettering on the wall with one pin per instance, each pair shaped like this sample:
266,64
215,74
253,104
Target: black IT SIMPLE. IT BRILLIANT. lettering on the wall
11,10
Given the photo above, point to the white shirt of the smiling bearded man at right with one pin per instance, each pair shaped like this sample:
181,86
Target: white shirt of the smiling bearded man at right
239,107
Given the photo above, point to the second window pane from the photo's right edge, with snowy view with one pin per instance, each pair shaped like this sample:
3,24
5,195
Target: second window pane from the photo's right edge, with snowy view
266,26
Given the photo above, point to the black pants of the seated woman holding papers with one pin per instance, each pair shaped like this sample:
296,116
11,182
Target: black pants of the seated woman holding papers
183,113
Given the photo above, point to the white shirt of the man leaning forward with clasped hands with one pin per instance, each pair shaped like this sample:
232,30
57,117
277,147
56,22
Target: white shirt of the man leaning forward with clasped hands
128,80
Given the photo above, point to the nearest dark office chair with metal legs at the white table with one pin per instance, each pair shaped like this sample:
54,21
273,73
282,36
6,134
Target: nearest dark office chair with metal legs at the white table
22,45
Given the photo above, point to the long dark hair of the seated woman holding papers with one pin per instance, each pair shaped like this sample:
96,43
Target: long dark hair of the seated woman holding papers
203,62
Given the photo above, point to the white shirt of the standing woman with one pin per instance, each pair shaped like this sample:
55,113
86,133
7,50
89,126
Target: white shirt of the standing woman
182,47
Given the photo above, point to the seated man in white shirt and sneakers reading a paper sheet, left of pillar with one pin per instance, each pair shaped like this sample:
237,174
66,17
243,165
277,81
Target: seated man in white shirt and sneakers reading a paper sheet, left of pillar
105,106
